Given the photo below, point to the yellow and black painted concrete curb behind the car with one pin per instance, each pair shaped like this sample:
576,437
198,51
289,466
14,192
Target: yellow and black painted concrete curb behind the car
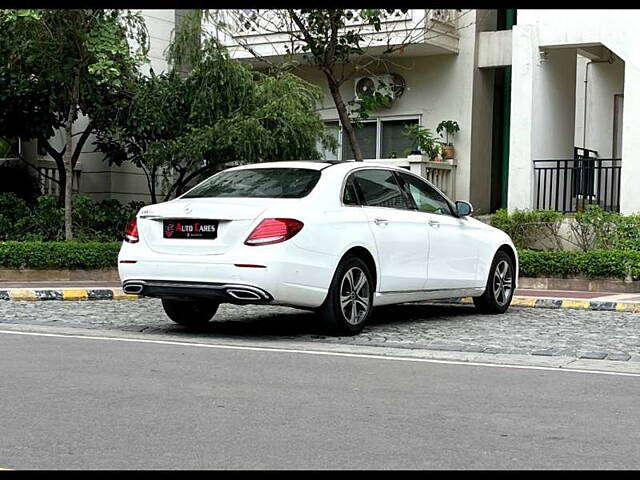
117,294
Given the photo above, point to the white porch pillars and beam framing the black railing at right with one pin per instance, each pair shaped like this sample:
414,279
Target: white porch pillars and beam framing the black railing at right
615,29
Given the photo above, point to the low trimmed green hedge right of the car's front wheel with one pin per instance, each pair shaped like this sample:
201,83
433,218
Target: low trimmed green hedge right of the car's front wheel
619,264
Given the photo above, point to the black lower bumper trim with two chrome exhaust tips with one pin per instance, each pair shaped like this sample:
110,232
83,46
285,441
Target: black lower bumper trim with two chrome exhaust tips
223,292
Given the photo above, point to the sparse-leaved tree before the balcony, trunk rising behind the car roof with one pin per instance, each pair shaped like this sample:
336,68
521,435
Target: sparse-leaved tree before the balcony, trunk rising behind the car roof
332,41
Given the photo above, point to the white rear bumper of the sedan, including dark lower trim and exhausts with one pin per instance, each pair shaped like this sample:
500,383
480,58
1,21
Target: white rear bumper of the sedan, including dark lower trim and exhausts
285,275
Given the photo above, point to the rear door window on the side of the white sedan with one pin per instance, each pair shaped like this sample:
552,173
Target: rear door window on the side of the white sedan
379,188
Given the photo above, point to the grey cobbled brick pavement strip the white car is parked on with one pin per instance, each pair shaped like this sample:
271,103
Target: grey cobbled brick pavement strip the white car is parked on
590,334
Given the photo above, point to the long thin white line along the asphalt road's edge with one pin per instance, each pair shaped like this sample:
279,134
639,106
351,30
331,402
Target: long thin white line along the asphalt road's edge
321,352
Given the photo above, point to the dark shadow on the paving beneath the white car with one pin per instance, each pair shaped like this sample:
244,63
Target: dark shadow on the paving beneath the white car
303,323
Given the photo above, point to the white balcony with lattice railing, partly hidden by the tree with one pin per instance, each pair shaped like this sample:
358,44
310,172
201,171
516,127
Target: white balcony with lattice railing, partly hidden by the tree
426,32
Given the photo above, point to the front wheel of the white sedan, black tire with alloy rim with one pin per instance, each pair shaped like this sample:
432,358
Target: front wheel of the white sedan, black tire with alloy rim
500,286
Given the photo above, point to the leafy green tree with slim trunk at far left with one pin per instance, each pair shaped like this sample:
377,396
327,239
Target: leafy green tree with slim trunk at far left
59,64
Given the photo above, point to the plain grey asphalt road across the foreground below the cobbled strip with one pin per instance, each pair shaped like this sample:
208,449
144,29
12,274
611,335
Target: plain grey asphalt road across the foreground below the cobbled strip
81,403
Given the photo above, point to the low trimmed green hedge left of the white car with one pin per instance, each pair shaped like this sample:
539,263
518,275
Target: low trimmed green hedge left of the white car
73,255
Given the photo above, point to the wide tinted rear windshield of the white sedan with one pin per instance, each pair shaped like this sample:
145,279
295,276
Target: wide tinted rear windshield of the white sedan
258,183
